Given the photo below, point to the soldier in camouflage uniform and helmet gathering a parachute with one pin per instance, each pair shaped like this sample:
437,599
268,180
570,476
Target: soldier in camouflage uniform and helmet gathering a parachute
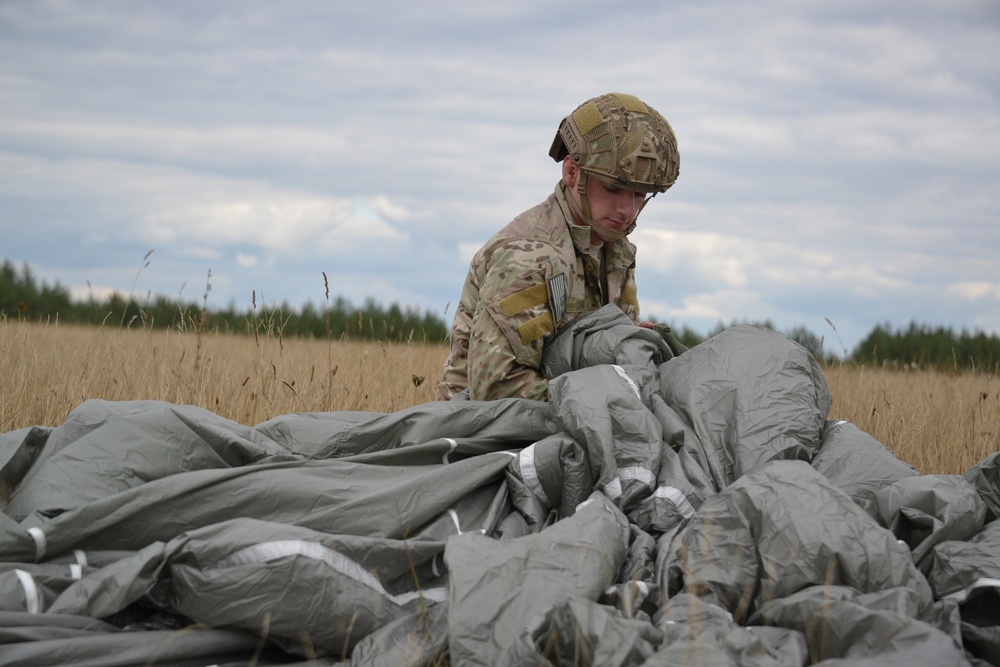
566,256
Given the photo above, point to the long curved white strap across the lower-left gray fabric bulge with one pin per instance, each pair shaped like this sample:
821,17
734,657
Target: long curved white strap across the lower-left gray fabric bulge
267,551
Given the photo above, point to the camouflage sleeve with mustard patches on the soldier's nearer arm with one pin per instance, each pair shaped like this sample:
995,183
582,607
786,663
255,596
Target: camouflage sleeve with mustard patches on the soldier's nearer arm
511,323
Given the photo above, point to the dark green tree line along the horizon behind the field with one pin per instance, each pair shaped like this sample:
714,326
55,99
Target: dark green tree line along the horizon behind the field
23,296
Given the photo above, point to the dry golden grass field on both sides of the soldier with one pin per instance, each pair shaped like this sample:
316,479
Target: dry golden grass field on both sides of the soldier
937,422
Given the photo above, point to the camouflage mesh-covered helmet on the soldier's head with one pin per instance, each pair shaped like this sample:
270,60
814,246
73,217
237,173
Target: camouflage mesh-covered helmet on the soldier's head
621,141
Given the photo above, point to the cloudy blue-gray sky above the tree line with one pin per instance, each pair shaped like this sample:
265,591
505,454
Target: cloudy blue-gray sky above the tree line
840,159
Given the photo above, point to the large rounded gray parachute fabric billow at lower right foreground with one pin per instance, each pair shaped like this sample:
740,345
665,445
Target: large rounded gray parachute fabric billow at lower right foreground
746,545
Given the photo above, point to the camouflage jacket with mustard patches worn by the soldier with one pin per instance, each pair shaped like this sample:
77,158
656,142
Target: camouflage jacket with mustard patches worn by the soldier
535,275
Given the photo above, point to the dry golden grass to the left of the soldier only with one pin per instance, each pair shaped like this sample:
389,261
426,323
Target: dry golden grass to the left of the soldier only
48,369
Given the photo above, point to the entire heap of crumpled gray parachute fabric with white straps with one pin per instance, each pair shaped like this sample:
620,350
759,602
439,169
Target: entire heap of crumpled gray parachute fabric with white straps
658,510
